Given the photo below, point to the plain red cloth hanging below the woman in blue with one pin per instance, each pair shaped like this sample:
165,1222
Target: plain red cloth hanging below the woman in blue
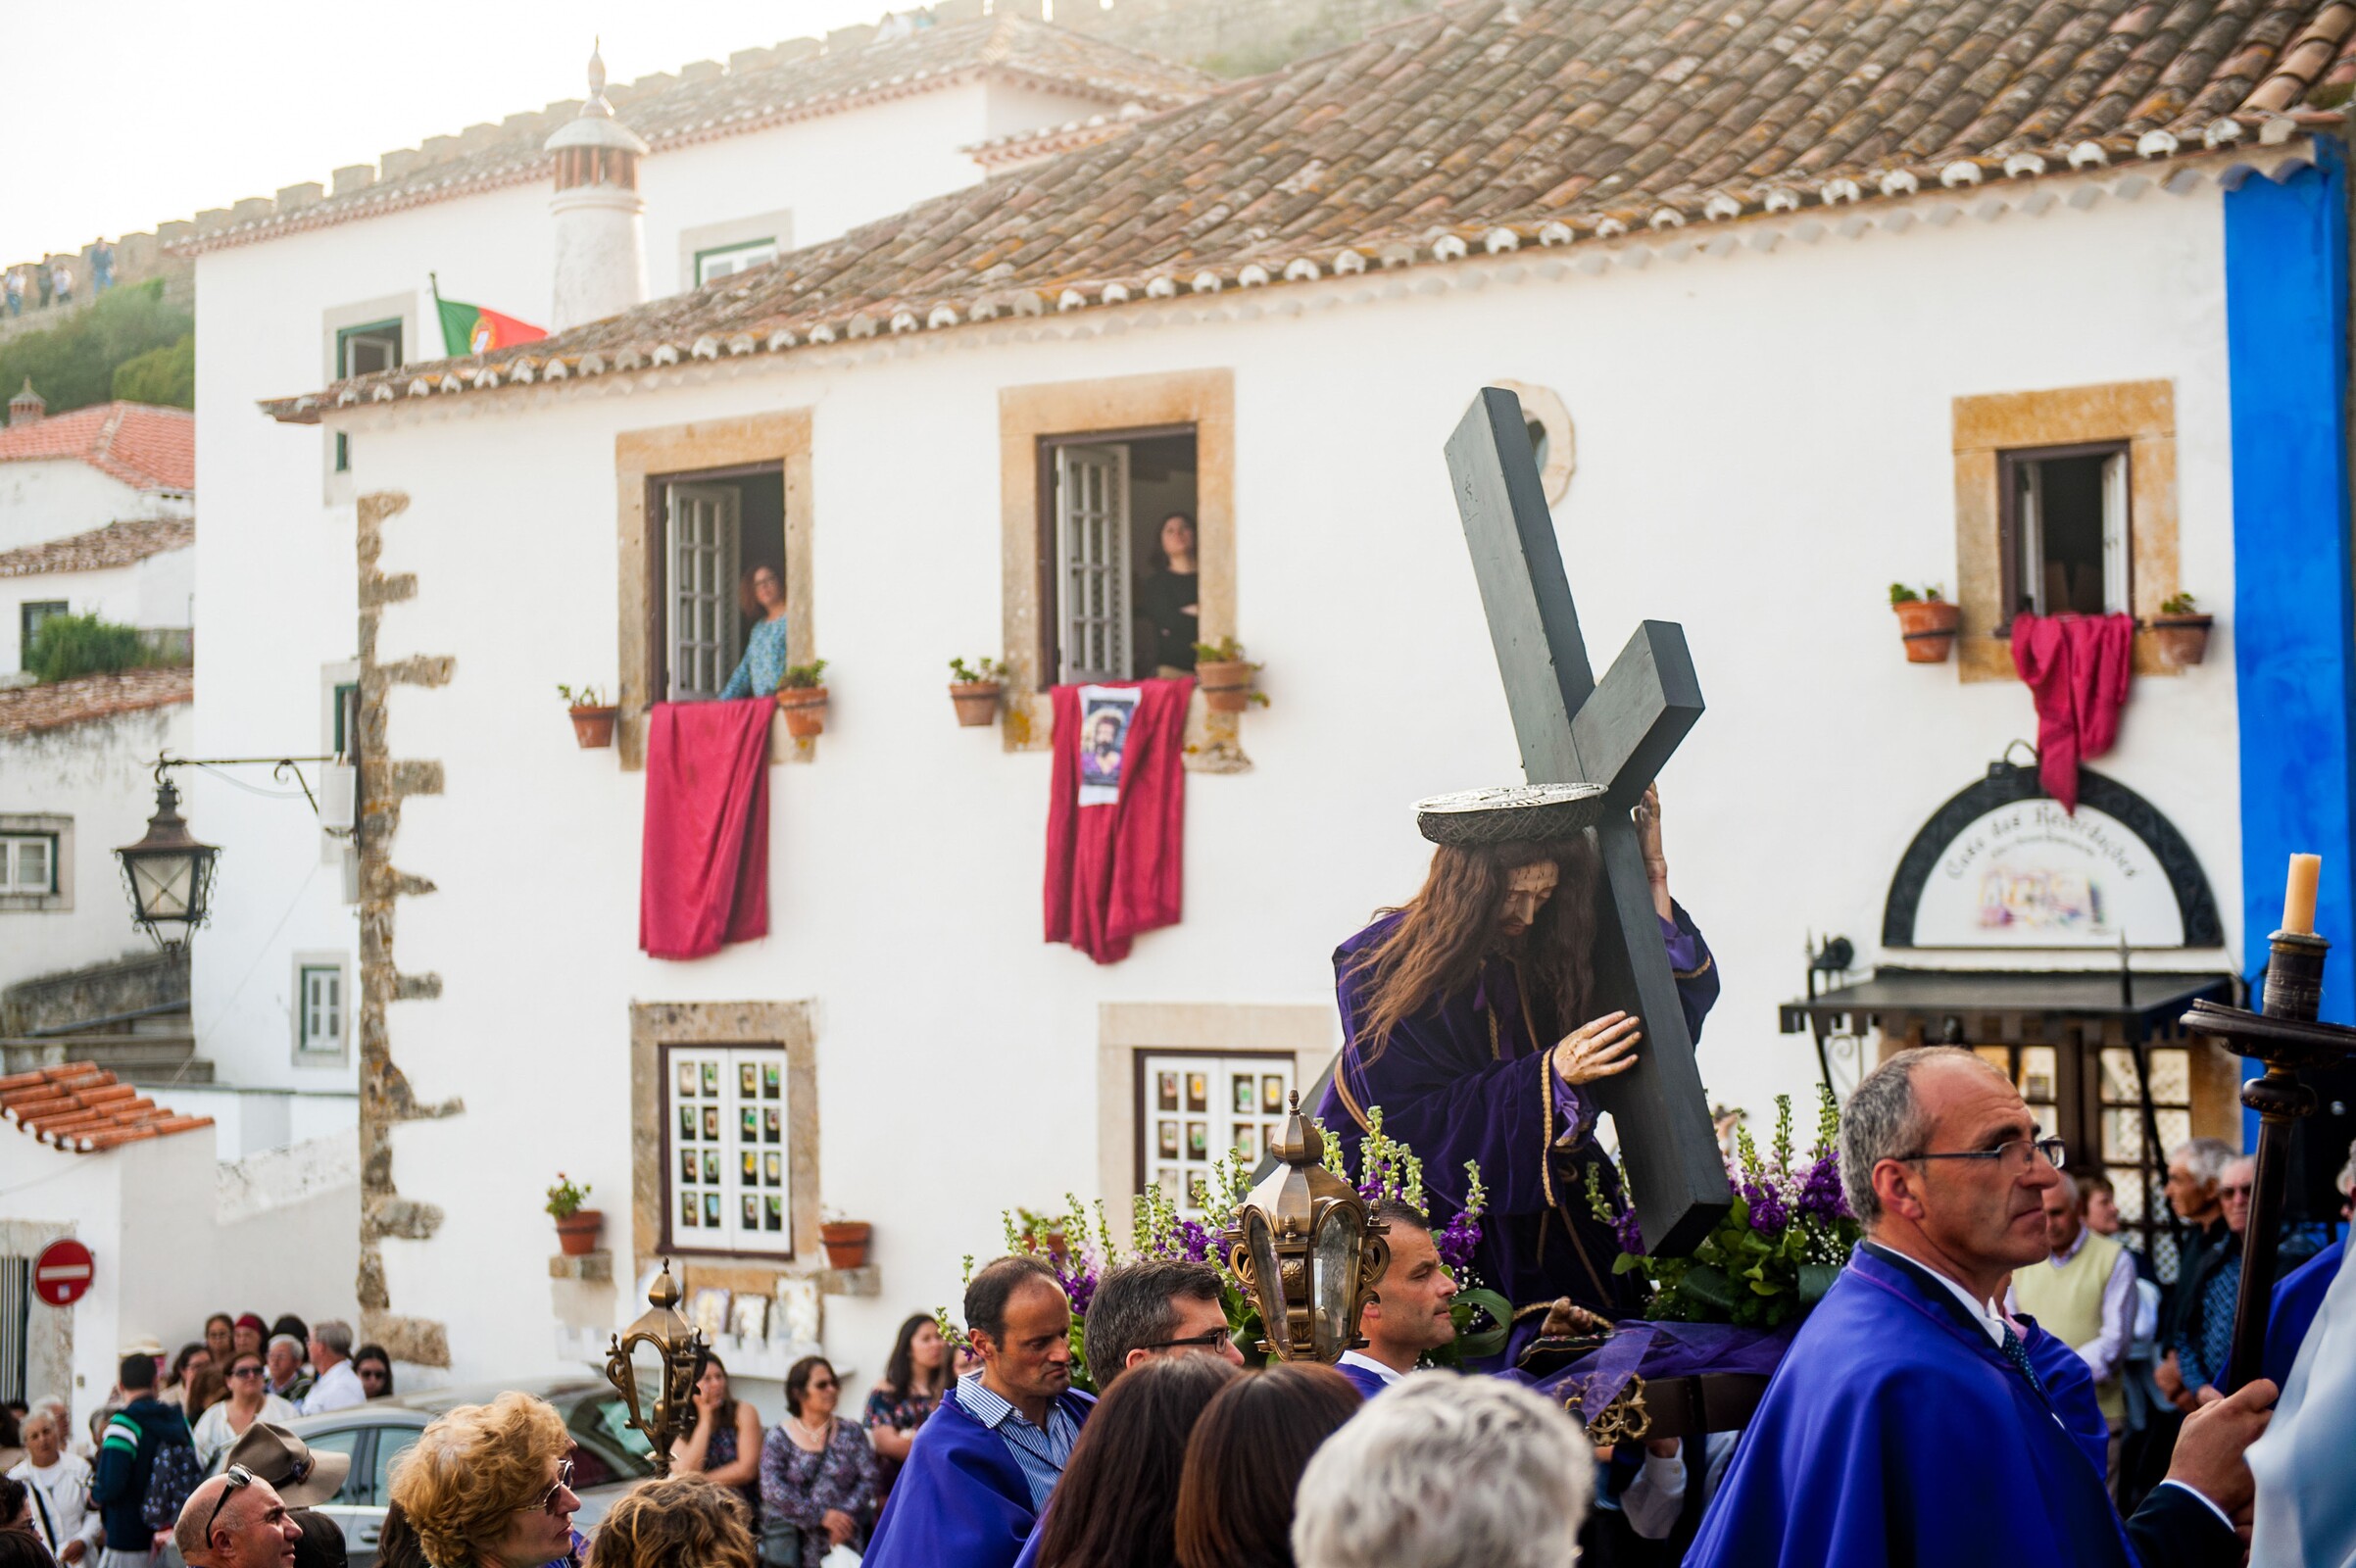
706,872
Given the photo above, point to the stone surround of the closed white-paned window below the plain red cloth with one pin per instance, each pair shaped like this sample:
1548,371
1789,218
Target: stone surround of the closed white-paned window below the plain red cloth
743,1023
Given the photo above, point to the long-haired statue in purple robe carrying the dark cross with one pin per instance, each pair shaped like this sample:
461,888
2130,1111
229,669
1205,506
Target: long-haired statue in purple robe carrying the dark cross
1467,1021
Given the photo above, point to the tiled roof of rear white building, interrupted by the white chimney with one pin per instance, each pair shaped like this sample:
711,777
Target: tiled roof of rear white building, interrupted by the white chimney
769,88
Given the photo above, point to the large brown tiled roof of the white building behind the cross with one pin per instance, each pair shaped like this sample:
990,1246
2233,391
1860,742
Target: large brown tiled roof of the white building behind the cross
1500,124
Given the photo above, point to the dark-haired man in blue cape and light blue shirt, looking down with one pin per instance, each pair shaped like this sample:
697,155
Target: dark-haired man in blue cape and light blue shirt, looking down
988,1459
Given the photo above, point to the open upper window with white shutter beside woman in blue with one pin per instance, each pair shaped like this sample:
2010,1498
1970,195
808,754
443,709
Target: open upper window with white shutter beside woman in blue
717,529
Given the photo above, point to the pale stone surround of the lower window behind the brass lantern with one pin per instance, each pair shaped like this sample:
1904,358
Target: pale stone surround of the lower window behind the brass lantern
1125,1032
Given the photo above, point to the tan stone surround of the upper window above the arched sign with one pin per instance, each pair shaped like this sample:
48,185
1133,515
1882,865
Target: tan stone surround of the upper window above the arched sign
1987,427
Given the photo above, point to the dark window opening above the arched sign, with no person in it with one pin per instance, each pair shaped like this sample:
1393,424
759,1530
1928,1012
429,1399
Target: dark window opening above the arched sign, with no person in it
2065,531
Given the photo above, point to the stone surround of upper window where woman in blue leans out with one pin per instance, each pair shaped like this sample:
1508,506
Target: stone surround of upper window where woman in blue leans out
684,451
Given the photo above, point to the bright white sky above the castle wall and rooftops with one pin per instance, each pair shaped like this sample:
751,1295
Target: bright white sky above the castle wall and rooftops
131,114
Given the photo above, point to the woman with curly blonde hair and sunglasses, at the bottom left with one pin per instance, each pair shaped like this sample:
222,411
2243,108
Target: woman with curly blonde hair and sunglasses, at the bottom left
491,1487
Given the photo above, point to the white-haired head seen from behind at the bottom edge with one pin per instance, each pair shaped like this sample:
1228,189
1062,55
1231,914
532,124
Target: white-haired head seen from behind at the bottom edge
1377,1491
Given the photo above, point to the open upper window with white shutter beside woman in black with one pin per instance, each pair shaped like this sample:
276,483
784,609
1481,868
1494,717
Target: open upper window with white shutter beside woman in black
1104,503
